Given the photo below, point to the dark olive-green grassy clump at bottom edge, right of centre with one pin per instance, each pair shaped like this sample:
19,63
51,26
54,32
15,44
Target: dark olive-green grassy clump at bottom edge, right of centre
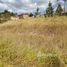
53,61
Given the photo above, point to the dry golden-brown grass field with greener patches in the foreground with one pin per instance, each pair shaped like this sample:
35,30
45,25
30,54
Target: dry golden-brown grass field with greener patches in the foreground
25,42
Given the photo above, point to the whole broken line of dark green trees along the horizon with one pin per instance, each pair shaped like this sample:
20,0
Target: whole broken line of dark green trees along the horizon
6,15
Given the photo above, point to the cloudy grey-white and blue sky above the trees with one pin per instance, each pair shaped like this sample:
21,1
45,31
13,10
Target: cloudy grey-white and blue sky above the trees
20,6
